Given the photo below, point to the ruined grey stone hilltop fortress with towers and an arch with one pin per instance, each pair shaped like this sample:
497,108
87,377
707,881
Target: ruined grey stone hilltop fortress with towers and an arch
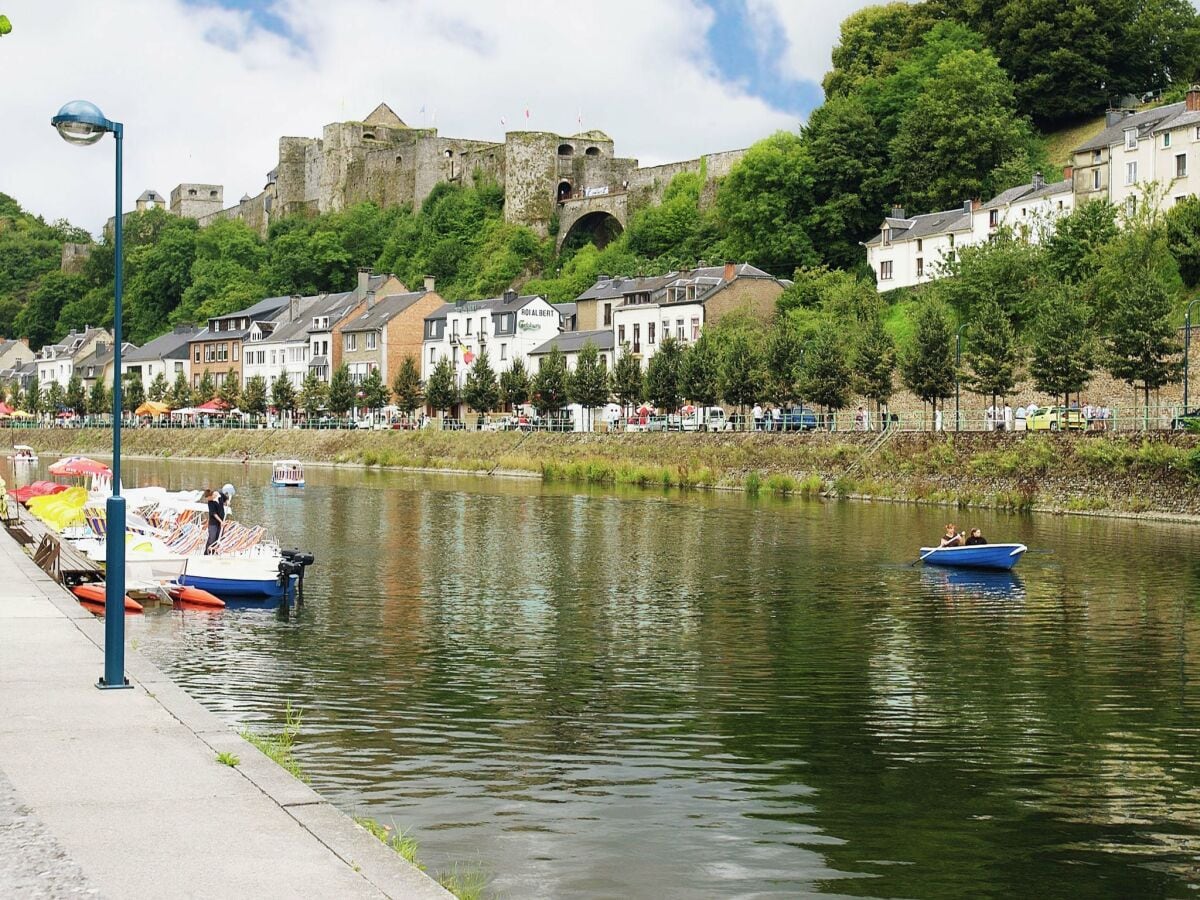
574,181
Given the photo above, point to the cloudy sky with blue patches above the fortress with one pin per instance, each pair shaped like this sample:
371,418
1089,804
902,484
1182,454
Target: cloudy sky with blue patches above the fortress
206,88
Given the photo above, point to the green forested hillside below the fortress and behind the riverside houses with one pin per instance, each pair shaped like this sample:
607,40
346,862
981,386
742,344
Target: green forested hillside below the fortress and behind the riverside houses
927,105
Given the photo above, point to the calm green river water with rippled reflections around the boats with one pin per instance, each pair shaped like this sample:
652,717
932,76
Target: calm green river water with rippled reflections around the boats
653,695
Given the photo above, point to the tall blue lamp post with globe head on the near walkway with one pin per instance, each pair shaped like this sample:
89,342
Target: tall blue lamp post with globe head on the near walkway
82,123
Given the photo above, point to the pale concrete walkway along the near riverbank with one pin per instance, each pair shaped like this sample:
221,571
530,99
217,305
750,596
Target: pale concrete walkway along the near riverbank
119,794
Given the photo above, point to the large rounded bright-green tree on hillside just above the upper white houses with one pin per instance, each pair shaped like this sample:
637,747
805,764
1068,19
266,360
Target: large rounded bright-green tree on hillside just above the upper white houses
956,133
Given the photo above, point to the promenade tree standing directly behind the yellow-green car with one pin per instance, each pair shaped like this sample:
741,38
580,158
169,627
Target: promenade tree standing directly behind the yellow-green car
1064,346
